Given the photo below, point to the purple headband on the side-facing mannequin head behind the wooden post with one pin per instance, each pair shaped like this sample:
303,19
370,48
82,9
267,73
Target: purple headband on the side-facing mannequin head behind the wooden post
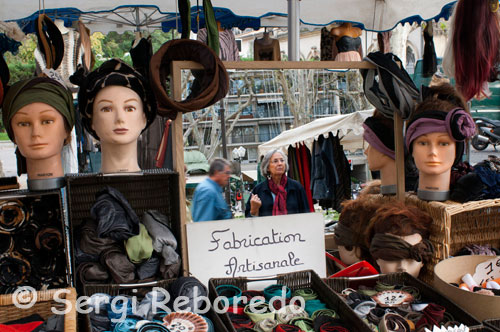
380,137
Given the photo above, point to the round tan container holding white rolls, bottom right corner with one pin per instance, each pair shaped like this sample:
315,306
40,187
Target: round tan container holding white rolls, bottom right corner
451,270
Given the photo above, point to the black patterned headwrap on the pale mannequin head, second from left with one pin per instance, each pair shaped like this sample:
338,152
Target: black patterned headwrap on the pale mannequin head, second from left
113,72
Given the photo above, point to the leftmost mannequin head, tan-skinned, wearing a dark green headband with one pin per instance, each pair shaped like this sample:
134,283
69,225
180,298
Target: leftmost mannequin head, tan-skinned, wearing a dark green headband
38,115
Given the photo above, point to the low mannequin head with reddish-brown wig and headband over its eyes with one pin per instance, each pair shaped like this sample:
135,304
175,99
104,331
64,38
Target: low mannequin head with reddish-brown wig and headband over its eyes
399,234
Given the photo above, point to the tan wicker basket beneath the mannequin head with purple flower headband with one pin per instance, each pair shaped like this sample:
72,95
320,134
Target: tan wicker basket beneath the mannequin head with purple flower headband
456,225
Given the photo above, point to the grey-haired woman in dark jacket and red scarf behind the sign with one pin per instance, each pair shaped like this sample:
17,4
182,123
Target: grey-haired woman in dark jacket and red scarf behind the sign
278,195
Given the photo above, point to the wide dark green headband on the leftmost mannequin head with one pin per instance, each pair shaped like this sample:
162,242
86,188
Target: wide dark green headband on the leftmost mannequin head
37,90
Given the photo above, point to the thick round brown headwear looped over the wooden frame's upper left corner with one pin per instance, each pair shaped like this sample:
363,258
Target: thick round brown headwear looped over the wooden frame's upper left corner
211,84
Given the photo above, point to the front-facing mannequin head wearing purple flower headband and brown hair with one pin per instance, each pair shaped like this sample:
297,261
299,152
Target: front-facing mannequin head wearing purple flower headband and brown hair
436,133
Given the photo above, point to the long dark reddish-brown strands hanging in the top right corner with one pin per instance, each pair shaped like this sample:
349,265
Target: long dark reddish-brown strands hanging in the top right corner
475,39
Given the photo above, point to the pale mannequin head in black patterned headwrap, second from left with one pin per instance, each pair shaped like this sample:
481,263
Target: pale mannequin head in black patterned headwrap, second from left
117,105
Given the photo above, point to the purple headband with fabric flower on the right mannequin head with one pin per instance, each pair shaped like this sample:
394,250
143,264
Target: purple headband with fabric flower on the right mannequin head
457,123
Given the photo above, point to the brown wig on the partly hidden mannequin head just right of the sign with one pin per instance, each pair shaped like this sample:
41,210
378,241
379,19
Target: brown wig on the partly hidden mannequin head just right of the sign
356,215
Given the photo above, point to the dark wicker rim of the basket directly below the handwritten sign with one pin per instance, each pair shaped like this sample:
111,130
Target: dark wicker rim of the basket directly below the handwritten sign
294,280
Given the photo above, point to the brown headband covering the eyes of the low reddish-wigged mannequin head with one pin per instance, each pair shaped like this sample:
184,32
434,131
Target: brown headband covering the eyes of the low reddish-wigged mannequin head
393,248
